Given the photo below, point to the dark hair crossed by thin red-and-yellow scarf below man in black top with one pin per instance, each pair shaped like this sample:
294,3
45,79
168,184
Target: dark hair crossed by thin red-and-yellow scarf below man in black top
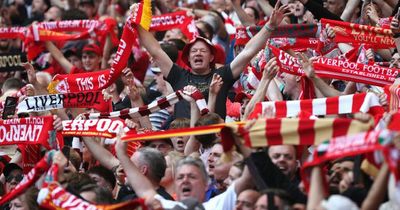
207,140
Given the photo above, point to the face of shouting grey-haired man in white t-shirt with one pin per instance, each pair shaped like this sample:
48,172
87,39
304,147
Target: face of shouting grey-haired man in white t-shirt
189,182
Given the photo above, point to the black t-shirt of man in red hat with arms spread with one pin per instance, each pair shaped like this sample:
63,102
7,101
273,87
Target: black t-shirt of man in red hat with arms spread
179,78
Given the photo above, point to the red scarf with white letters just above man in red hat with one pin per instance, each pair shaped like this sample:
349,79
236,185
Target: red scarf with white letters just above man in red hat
175,20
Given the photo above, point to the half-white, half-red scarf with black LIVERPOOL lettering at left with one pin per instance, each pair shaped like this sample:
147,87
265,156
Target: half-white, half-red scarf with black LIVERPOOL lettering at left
68,100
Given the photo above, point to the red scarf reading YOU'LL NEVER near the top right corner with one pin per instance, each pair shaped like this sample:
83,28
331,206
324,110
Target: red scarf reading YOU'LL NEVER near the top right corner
354,33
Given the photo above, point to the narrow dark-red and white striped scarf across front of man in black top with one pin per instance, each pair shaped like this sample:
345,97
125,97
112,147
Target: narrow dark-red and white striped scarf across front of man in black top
154,106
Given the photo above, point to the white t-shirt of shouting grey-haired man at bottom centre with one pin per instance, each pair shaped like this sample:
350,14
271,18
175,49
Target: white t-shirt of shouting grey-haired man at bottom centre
224,201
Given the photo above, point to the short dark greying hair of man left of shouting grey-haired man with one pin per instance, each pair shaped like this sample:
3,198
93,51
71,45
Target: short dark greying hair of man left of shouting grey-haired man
154,160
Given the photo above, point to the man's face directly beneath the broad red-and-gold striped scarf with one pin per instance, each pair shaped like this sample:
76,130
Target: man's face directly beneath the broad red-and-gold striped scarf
284,156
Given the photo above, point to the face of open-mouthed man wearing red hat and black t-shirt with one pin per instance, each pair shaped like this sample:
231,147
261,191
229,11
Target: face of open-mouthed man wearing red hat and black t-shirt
200,57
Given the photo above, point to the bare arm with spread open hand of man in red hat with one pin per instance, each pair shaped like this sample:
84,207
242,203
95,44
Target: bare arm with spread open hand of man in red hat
258,41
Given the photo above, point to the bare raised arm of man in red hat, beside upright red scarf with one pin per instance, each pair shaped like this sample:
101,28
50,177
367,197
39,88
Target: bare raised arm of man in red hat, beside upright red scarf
153,47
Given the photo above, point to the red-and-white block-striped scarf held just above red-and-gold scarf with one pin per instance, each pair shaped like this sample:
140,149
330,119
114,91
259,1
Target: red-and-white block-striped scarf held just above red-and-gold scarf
347,104
